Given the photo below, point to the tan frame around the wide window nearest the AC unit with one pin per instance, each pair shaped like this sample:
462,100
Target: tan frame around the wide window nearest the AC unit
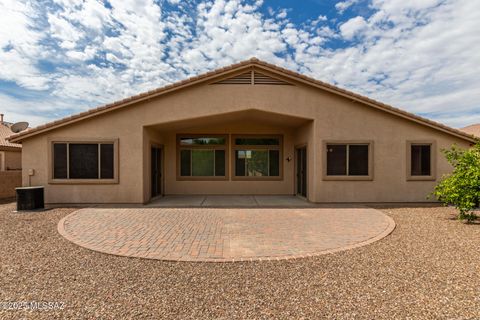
114,141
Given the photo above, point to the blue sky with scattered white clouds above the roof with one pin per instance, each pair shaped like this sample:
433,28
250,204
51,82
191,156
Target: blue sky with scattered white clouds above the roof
59,57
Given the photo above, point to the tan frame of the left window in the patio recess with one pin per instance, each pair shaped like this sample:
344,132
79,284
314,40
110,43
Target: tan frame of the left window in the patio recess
179,147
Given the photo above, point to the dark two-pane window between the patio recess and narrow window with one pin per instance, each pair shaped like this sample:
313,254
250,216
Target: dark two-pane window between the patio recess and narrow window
348,161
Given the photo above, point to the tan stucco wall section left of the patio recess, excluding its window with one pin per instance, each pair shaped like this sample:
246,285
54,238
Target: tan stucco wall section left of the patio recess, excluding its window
121,125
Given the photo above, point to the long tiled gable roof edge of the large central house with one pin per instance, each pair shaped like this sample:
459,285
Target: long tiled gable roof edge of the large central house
252,63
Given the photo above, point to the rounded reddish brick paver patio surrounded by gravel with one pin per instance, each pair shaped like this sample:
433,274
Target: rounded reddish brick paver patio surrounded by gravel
212,234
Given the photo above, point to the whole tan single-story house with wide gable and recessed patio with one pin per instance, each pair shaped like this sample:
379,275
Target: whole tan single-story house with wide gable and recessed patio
249,128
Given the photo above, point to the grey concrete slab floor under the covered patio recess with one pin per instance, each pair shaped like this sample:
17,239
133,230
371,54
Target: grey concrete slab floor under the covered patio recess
230,201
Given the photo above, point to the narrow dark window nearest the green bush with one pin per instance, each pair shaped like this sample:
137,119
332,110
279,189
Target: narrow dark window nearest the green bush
420,160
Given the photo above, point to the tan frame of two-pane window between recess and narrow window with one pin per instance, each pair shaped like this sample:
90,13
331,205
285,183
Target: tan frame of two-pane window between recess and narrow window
347,177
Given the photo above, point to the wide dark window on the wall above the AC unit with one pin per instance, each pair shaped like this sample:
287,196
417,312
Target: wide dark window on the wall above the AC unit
83,161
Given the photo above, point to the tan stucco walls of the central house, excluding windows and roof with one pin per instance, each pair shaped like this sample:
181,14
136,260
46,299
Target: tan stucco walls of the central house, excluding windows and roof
303,115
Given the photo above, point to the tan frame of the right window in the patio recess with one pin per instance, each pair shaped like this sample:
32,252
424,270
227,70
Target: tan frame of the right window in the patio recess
236,147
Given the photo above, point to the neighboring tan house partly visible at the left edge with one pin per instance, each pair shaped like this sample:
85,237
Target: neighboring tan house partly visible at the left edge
10,162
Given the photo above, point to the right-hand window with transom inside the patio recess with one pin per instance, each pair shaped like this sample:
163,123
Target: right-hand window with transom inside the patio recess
257,157
